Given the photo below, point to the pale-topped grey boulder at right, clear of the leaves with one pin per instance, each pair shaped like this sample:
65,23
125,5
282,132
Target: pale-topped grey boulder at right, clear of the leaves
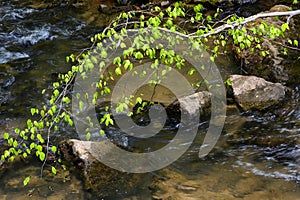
254,93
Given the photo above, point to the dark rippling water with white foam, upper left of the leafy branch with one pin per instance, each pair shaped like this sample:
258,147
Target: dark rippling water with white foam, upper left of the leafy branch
35,43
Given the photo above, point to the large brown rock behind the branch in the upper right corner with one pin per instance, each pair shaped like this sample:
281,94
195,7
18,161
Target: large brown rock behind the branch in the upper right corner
273,66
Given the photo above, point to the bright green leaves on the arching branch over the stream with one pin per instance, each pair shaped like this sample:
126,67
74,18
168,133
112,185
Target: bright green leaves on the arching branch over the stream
210,32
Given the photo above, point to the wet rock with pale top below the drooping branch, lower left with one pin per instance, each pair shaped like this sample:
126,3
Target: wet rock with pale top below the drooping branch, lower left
100,179
